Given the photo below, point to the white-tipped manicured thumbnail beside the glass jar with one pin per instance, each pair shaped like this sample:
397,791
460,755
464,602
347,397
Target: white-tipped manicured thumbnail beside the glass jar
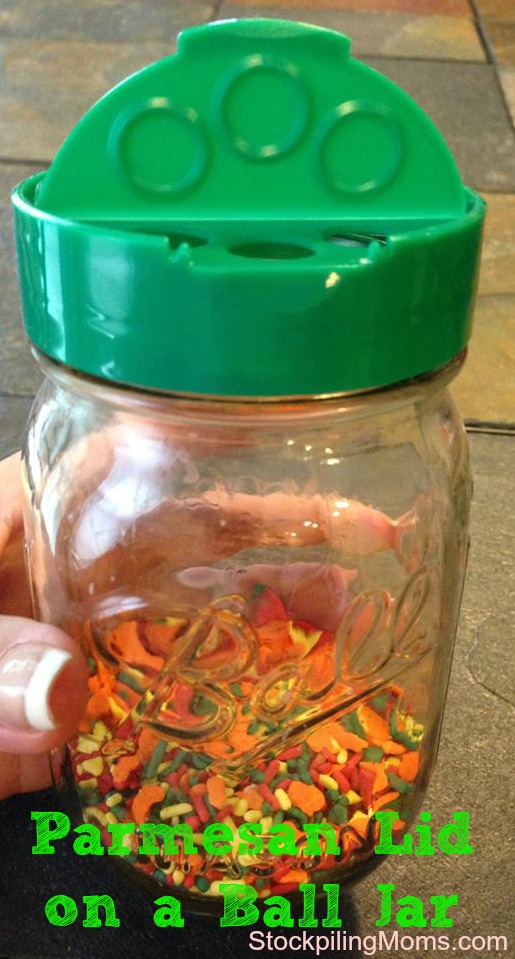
28,676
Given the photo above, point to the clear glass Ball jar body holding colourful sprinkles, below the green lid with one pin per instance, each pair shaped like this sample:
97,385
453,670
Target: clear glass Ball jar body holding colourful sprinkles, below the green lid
267,593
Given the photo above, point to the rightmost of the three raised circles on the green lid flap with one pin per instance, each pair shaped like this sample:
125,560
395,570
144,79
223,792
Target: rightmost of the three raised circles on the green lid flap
360,148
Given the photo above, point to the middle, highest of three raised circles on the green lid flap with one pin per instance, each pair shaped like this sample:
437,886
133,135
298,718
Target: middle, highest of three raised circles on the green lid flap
263,107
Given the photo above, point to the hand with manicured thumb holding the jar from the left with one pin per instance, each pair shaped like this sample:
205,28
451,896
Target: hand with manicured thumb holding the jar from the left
42,671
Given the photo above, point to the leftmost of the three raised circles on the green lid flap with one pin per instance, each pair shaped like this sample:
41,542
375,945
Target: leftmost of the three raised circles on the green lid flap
159,147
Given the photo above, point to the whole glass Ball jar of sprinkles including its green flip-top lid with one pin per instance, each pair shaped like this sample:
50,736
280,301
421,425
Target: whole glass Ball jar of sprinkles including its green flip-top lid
248,483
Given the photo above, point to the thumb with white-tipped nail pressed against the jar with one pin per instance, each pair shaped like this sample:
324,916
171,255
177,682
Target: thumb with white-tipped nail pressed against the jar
43,685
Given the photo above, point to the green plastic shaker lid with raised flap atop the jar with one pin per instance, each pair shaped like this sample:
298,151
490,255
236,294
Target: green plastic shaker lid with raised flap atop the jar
257,215
